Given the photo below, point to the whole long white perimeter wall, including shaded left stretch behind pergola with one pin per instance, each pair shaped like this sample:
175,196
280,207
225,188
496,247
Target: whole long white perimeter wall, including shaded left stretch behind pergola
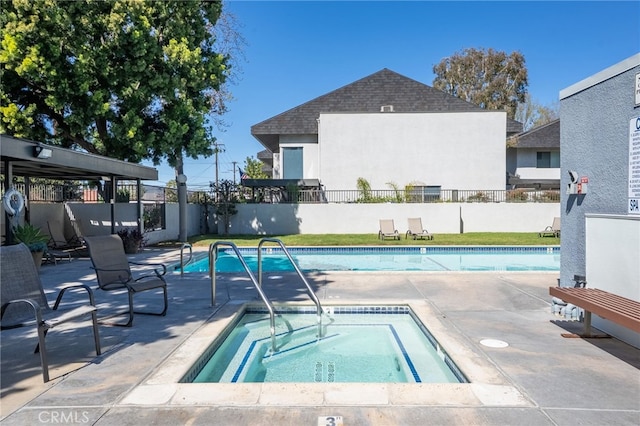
278,219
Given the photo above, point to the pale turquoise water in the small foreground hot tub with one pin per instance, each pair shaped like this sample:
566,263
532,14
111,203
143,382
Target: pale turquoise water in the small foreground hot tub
358,344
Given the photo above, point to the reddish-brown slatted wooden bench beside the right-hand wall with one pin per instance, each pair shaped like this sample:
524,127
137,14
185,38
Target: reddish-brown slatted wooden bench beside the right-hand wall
618,309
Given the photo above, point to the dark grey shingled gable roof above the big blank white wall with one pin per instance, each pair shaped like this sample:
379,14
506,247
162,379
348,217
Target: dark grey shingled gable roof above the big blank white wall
368,94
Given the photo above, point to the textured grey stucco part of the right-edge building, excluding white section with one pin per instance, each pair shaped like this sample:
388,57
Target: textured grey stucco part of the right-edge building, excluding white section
594,140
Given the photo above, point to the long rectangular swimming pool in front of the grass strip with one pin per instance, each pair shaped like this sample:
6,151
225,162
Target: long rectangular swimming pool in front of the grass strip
468,258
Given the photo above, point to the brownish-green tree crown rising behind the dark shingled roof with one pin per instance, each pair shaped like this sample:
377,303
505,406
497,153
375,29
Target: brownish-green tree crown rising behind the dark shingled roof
490,79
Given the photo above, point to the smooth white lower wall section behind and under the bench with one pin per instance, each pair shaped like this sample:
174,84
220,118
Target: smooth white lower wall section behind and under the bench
613,264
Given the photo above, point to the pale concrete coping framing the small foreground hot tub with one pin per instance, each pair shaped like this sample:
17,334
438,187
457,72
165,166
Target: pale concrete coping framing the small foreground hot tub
487,387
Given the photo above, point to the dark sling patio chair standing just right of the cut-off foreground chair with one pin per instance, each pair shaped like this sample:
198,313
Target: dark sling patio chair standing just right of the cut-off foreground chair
114,273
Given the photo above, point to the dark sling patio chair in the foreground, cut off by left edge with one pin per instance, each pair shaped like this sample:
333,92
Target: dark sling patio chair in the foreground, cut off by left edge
23,302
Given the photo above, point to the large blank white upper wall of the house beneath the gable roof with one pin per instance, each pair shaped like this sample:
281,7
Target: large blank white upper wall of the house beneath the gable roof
453,150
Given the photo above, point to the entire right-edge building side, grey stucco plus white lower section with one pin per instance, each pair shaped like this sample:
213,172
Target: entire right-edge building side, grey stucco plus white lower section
599,238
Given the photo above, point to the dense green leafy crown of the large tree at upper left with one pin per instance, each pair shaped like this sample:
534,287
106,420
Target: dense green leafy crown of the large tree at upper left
129,79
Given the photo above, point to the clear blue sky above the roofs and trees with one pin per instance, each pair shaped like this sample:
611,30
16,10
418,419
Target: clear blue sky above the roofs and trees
299,50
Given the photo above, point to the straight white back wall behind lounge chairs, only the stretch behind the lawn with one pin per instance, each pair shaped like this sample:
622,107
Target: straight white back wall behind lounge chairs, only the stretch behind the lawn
278,219
